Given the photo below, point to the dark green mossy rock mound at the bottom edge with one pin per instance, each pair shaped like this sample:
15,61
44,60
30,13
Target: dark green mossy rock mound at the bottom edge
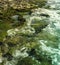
28,61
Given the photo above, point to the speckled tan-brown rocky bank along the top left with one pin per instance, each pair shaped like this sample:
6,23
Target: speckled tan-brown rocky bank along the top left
17,5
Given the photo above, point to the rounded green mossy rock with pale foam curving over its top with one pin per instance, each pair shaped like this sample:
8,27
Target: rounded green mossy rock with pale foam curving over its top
38,24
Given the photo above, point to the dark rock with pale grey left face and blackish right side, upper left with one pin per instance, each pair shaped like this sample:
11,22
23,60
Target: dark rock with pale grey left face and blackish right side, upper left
18,20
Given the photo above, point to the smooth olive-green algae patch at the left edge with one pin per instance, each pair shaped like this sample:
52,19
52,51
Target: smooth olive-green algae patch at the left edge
3,28
